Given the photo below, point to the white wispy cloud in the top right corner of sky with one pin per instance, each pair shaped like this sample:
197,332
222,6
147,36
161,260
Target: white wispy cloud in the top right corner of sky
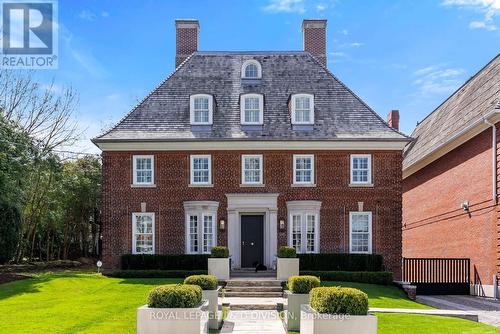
488,8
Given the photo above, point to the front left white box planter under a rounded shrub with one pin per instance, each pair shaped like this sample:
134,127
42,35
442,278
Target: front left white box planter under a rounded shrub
173,320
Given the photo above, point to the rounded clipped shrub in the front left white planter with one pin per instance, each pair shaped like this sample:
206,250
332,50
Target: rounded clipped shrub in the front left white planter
175,296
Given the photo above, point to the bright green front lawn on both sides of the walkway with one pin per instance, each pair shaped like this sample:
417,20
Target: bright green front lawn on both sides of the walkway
72,302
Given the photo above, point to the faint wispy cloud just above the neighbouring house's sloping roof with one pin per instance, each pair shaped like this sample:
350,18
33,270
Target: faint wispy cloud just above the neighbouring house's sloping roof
437,79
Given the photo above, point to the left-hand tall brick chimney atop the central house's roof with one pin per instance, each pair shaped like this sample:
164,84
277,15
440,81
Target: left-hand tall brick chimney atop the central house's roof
186,39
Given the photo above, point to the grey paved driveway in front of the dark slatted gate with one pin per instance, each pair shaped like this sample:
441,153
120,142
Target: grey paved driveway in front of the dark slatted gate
487,309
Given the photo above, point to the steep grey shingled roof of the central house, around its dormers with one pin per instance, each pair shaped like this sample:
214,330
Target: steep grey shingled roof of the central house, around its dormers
164,114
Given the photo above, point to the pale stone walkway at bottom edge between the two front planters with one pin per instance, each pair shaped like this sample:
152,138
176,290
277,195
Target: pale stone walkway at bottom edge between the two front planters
253,322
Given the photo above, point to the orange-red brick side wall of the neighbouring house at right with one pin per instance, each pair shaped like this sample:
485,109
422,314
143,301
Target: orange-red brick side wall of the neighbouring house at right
435,225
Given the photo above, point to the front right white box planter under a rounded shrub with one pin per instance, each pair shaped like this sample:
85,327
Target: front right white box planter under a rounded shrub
312,322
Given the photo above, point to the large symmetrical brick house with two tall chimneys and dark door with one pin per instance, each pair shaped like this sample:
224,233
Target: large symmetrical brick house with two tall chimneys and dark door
252,150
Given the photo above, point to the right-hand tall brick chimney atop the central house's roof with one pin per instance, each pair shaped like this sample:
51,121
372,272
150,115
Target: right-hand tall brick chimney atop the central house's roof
314,35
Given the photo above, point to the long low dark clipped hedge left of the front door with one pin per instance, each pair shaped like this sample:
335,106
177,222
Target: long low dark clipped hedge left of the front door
164,262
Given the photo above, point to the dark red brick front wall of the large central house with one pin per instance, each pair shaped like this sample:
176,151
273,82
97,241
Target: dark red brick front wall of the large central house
332,173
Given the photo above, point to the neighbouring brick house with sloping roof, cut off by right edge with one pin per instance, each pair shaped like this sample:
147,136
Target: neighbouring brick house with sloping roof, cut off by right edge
450,206
